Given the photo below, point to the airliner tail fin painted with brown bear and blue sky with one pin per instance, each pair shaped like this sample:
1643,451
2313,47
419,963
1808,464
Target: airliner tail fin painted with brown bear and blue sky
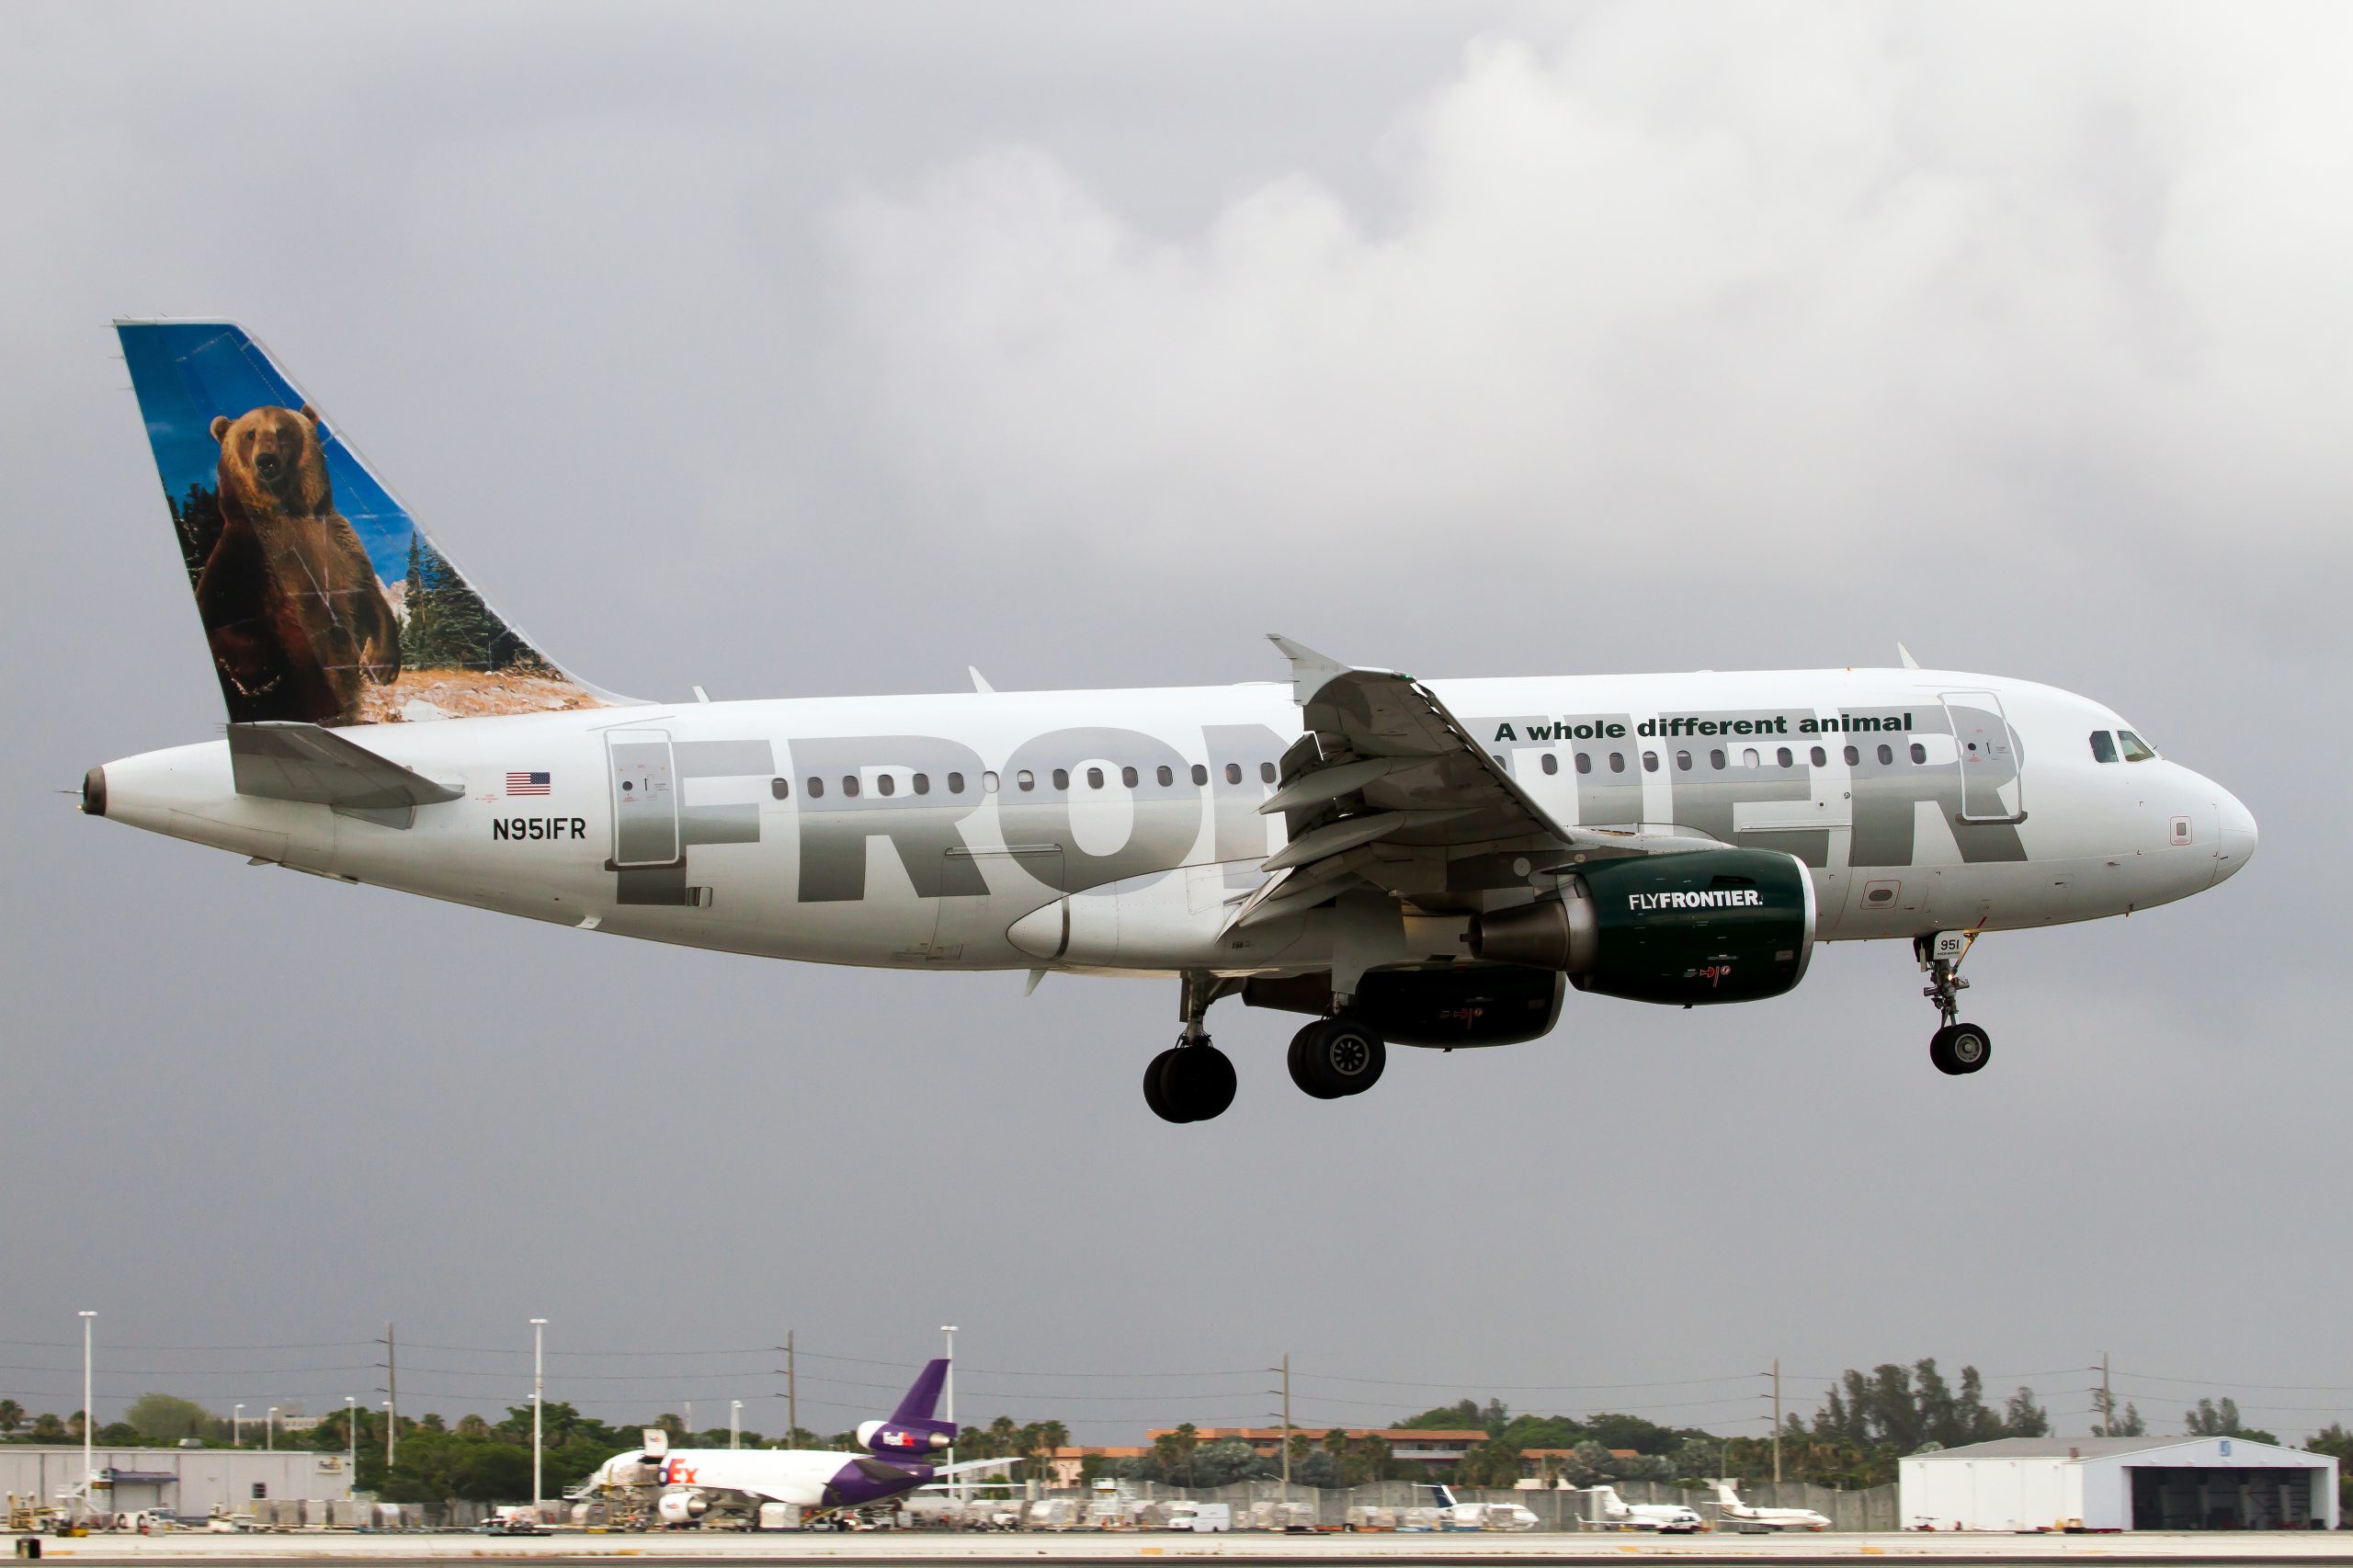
321,599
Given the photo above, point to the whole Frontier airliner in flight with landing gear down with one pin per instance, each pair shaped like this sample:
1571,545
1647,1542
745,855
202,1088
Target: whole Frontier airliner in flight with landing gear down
1406,863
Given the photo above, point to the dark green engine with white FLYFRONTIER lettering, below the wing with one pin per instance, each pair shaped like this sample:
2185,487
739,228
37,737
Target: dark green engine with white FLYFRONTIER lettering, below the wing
1705,926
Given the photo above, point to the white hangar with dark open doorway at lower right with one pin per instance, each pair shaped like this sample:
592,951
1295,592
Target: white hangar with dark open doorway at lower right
2119,1484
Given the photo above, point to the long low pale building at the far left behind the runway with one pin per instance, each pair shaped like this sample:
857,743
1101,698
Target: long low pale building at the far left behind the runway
182,1480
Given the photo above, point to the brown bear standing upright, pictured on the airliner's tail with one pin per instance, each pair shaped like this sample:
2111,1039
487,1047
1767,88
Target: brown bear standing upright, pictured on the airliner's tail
291,599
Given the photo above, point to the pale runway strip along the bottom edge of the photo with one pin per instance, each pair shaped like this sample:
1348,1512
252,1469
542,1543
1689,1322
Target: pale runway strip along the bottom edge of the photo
884,1550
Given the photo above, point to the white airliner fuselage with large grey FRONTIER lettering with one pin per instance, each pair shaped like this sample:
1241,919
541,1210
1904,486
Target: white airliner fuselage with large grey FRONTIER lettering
945,832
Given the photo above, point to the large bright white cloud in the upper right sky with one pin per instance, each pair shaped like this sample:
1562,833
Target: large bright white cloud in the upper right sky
1834,267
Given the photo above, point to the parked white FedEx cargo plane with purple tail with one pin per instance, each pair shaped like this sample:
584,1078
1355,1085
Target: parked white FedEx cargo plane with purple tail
693,1482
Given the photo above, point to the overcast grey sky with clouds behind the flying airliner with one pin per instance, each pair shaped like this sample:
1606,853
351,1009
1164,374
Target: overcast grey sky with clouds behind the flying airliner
804,352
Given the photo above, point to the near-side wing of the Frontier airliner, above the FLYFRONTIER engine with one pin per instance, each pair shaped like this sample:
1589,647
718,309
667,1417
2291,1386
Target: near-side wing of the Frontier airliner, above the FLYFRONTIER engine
1392,790
